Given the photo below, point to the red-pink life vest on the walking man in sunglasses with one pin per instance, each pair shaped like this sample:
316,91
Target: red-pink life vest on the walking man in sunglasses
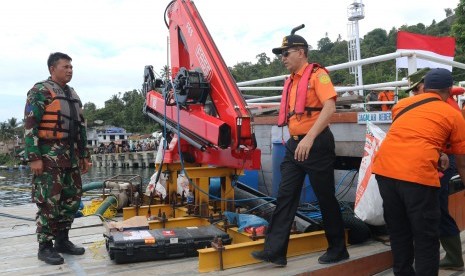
301,97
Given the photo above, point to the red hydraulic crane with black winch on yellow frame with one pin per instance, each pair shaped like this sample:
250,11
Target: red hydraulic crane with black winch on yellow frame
201,101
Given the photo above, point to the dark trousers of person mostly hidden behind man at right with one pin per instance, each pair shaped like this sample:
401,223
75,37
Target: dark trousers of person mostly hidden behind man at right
447,226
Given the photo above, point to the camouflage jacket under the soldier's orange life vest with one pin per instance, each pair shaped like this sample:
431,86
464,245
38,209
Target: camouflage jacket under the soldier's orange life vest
53,152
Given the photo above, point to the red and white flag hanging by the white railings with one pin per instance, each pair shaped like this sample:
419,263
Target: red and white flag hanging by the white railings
436,46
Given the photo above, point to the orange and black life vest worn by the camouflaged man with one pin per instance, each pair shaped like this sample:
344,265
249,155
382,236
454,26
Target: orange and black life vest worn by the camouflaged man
61,118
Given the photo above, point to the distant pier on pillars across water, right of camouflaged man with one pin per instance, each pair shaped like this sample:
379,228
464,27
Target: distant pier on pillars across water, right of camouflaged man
141,159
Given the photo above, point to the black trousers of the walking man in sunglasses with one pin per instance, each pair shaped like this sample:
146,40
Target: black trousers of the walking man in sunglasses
320,168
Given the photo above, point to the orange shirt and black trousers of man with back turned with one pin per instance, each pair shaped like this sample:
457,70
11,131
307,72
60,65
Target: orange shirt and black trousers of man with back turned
407,175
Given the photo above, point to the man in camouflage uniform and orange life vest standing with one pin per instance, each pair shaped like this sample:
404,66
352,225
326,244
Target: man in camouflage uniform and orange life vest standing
55,137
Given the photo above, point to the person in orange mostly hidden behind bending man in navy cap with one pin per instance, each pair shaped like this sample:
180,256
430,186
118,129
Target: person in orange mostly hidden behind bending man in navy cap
449,233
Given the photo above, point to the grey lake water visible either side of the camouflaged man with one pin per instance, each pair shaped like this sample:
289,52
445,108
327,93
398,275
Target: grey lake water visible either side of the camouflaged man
15,189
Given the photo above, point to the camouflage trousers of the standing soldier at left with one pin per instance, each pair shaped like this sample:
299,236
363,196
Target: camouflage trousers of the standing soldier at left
57,193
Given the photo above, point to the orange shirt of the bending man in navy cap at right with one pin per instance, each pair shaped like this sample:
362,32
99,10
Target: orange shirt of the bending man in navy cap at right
411,148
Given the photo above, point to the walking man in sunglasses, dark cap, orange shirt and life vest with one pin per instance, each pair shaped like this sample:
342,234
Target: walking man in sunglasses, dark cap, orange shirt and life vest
308,102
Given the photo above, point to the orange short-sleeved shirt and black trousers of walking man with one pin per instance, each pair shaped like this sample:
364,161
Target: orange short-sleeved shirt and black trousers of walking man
319,166
